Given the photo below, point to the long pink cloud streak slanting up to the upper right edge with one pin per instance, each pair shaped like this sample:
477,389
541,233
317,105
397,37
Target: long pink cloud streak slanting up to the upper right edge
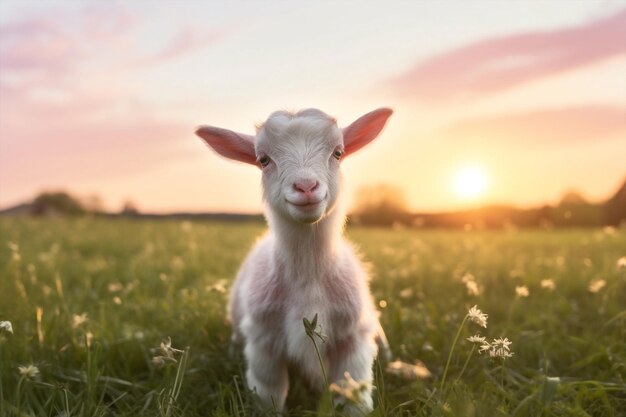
497,64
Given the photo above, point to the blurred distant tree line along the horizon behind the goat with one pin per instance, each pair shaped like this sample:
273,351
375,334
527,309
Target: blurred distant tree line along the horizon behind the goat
378,205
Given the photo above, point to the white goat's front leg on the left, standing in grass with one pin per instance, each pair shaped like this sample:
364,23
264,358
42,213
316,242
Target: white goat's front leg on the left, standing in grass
267,375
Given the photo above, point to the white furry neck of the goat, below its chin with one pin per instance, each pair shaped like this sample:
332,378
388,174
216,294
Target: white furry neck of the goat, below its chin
307,251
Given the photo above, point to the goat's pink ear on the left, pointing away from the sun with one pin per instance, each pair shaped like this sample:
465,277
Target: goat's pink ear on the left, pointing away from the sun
230,144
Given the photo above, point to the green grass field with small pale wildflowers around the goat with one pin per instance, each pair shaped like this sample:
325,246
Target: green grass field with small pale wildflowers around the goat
88,300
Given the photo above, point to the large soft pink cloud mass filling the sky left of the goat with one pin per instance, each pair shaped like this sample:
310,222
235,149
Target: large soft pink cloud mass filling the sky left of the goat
71,109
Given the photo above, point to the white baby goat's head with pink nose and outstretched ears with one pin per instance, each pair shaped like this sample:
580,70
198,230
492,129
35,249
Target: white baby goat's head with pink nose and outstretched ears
299,155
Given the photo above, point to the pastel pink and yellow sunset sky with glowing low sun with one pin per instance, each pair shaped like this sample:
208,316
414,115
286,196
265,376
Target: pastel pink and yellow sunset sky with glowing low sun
520,101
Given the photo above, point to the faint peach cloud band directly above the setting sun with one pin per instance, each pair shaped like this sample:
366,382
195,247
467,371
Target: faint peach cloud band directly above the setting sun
552,127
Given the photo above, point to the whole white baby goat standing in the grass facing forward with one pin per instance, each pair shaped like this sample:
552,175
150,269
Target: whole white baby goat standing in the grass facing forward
303,267
